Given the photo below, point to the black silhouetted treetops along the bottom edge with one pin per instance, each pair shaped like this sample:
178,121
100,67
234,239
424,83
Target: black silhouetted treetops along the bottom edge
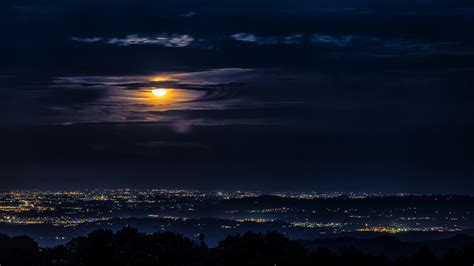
129,247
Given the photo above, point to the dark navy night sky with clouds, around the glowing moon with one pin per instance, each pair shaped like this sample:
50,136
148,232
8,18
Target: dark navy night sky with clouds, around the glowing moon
325,95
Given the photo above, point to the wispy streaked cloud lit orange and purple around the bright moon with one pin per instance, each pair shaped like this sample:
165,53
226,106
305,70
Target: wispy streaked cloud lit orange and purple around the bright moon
192,96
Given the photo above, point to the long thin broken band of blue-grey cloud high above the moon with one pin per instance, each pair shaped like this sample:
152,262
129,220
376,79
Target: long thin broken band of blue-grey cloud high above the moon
351,45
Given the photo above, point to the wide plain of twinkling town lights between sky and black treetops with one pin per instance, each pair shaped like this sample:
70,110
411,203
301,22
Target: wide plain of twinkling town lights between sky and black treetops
295,214
